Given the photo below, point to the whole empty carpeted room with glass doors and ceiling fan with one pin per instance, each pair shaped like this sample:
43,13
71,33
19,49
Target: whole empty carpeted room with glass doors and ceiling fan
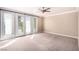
39,28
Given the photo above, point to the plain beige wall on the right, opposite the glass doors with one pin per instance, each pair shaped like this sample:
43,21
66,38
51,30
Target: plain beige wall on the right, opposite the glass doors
65,24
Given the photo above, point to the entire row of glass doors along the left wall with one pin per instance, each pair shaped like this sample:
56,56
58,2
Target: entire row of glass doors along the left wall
15,24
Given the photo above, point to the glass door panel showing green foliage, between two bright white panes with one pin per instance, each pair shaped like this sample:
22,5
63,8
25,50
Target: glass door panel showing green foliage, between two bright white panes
20,25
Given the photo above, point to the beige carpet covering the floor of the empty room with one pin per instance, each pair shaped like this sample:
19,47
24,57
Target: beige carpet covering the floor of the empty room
41,42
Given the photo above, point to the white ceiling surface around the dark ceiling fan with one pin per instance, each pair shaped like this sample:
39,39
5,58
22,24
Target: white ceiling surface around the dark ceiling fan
36,11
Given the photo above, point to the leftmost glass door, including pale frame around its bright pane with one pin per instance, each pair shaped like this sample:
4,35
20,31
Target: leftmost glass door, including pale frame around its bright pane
7,25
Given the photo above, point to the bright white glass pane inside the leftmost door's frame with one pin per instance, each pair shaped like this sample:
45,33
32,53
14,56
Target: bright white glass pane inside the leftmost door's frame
8,23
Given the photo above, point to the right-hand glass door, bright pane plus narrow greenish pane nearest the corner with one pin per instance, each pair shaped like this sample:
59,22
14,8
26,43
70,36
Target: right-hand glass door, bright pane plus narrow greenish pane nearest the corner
31,24
